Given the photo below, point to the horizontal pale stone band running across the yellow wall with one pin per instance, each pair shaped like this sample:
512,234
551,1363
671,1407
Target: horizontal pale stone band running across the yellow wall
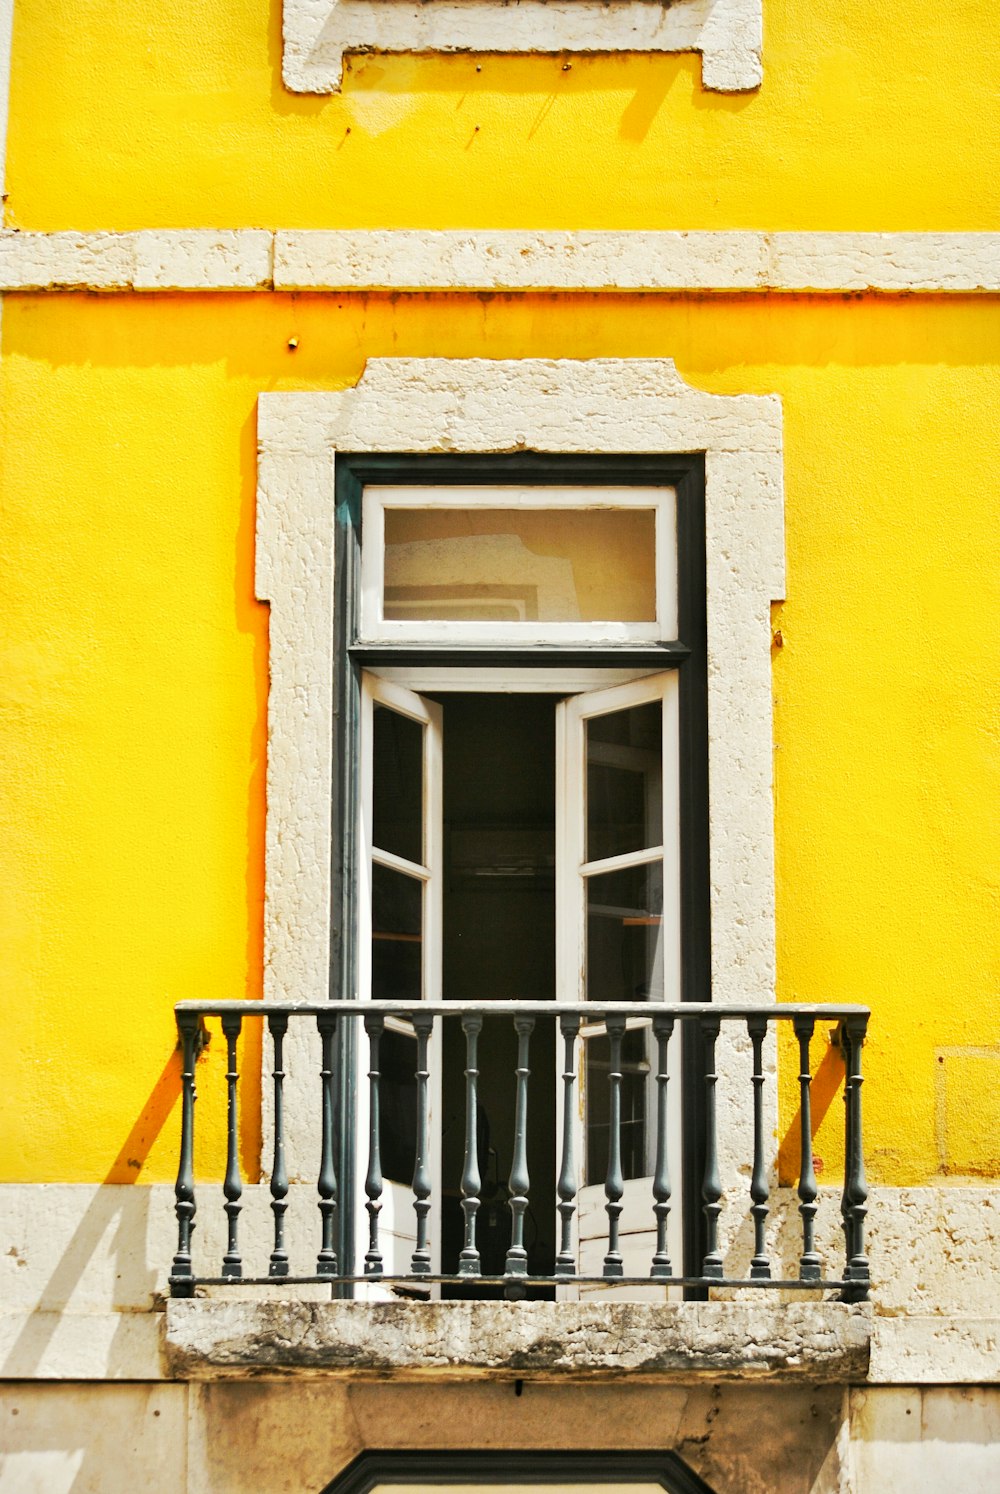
500,261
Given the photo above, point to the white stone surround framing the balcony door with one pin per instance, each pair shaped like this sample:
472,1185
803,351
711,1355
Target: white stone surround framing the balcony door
484,407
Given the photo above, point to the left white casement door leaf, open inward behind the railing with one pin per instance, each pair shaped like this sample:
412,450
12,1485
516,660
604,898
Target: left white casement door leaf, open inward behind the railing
400,939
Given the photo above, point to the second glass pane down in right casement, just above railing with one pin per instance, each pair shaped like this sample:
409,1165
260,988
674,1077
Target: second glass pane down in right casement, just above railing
626,960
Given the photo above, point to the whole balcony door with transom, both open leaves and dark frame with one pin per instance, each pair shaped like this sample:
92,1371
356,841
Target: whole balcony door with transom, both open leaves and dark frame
530,737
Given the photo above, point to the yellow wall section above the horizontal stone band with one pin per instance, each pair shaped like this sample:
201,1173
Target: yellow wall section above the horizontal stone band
134,116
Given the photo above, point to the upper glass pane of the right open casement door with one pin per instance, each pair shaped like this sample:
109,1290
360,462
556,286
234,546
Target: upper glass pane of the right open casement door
626,769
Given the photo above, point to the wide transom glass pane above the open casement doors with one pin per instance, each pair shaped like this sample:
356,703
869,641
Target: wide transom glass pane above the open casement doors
509,565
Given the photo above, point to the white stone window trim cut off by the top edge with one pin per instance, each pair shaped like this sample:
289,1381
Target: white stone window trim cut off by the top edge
318,34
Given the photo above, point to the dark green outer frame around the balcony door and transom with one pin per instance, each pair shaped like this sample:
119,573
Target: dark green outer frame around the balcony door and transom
687,474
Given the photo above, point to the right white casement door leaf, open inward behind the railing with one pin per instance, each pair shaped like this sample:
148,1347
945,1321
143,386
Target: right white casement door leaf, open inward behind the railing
620,940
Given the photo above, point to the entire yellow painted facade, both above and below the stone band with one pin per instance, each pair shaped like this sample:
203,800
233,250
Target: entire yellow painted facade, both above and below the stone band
135,657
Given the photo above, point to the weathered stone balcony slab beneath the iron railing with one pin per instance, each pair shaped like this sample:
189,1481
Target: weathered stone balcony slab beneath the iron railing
820,1341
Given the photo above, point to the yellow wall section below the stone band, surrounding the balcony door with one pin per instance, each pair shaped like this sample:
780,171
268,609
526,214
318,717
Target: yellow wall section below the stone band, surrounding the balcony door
135,681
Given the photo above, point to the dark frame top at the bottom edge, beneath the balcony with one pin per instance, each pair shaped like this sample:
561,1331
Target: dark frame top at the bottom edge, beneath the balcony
515,1469
